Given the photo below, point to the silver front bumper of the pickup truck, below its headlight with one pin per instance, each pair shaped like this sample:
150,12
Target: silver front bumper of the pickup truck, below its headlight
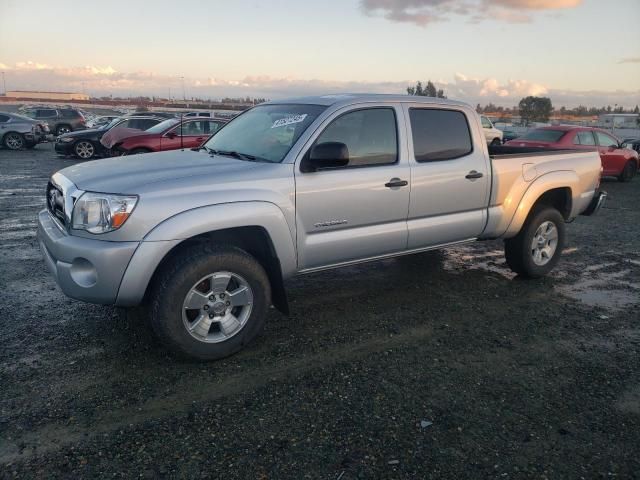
85,269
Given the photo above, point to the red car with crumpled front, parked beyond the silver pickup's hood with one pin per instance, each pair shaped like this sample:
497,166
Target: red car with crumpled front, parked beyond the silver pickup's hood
168,135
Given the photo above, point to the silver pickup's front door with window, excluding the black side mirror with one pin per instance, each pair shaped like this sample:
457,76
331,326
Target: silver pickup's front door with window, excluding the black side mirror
357,211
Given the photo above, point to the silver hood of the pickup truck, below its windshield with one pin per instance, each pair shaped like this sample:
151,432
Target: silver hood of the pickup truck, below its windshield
130,174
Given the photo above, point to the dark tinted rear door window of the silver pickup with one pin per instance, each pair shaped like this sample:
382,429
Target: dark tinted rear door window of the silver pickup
439,134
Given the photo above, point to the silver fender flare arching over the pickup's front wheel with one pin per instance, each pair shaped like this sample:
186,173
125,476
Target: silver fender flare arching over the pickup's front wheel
191,223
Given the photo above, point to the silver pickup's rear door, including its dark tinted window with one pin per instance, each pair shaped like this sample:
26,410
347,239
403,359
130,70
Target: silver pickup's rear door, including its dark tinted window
450,176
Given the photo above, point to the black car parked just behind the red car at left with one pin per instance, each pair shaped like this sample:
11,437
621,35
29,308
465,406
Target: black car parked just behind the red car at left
85,144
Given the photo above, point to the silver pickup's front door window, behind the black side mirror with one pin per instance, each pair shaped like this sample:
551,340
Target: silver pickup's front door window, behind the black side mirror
370,135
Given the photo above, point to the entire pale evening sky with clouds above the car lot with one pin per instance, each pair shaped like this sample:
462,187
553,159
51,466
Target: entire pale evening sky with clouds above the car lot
480,51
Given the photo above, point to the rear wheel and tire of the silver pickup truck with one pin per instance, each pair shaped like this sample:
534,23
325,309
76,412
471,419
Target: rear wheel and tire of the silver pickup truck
535,261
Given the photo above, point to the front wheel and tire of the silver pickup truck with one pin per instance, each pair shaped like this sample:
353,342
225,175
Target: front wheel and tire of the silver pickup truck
189,279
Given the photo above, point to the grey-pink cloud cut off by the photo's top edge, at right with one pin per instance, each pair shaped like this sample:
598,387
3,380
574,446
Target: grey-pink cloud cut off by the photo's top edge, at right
425,12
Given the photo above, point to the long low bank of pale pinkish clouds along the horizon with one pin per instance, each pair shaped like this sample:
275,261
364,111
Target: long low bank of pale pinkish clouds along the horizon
105,80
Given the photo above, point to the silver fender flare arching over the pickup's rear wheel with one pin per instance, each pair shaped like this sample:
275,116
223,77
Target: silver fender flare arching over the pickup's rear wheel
541,185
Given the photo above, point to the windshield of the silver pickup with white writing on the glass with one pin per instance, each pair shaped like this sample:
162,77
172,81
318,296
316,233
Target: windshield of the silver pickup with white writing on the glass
265,132
